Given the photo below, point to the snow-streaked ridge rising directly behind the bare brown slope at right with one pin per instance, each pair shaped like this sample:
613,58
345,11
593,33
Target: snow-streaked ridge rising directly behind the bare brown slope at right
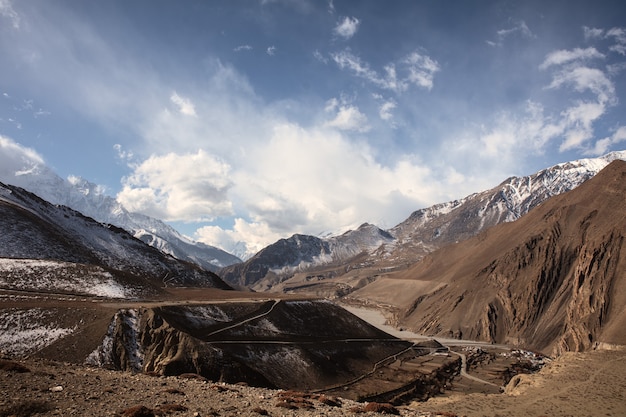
436,226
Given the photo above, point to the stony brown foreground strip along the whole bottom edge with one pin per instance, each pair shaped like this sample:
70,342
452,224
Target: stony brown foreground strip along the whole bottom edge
586,384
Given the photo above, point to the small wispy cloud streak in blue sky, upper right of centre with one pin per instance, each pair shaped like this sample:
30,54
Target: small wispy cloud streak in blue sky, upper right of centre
414,69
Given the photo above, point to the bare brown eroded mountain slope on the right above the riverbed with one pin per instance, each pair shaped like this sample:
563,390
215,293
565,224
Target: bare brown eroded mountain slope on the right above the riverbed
555,280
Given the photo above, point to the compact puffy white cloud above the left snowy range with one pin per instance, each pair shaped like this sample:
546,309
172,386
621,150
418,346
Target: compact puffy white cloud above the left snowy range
187,187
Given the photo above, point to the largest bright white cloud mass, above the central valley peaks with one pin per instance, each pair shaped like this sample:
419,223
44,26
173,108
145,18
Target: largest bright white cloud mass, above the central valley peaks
310,180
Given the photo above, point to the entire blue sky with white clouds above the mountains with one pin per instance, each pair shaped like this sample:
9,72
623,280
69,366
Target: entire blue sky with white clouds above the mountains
248,121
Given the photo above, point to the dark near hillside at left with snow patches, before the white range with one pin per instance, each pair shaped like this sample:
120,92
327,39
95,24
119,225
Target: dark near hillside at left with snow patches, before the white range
46,247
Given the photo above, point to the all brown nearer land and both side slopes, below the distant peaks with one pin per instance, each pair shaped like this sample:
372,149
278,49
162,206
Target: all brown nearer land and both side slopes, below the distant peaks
84,338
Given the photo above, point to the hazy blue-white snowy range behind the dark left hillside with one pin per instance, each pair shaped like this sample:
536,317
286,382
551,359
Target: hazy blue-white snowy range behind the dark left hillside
91,200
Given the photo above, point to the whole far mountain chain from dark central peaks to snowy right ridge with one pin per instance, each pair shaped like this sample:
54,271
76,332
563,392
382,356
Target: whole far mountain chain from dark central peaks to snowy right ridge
424,231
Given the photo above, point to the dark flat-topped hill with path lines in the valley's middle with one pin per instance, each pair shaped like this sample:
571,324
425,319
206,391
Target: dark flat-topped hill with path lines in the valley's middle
287,344
